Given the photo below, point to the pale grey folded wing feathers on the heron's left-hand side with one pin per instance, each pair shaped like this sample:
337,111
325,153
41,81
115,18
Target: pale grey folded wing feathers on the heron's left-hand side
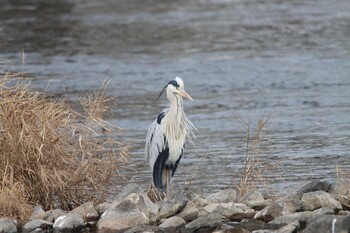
155,141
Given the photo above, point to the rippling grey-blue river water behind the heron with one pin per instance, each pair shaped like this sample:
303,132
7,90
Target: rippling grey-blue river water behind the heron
285,60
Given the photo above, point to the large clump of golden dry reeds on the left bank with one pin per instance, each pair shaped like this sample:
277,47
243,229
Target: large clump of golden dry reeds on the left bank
49,153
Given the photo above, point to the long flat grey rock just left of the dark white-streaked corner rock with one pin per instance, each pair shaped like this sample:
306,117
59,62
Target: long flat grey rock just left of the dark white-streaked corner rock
301,217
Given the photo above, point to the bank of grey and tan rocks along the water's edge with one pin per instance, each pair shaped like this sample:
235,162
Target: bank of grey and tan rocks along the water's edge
314,207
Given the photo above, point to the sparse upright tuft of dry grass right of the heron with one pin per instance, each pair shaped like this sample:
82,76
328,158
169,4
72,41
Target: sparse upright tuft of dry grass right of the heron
252,174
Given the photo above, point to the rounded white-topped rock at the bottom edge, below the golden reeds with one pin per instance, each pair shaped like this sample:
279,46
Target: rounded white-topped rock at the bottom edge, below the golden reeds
68,223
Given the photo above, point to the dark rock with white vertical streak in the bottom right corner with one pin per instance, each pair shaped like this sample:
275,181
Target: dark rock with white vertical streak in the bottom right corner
328,223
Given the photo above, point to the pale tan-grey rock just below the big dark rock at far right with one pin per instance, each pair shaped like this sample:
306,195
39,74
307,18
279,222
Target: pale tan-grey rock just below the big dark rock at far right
318,199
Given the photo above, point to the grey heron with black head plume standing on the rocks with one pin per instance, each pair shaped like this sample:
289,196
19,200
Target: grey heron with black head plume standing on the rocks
165,140
